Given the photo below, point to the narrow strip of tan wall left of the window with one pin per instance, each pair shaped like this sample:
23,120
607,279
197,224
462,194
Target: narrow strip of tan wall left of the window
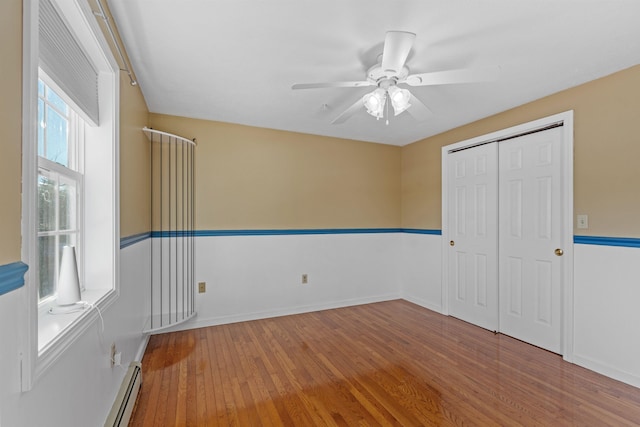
10,129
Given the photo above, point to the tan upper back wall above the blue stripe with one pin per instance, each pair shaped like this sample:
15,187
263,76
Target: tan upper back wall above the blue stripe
253,178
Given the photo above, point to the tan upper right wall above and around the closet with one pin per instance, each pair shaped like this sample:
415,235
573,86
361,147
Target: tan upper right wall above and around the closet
606,153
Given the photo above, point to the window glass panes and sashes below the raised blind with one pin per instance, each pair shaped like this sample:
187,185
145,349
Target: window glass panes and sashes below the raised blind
59,186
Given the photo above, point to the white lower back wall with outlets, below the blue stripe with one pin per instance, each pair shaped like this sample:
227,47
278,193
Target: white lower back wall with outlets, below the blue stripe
253,277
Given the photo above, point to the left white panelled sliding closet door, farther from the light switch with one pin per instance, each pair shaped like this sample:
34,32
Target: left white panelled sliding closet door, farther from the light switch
473,213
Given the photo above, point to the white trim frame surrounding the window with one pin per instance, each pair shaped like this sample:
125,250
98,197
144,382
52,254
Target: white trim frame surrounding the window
79,14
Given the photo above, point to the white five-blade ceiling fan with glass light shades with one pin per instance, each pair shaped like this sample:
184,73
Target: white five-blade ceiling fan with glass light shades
392,71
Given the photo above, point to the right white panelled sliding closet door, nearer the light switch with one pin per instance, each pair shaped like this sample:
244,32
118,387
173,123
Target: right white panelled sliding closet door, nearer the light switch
530,173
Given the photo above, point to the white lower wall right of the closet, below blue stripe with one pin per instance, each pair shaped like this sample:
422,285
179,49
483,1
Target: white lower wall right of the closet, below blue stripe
607,310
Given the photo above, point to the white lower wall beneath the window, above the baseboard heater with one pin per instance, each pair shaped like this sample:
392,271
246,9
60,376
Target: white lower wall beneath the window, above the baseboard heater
80,387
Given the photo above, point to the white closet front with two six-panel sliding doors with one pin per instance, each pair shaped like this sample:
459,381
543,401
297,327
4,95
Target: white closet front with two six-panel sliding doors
506,233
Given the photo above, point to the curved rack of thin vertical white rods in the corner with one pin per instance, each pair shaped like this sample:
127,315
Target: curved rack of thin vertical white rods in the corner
172,230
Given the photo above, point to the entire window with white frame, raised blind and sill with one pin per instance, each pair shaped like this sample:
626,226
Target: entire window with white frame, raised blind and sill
70,193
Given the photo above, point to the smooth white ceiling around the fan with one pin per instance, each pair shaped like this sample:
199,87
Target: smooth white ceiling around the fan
235,60
